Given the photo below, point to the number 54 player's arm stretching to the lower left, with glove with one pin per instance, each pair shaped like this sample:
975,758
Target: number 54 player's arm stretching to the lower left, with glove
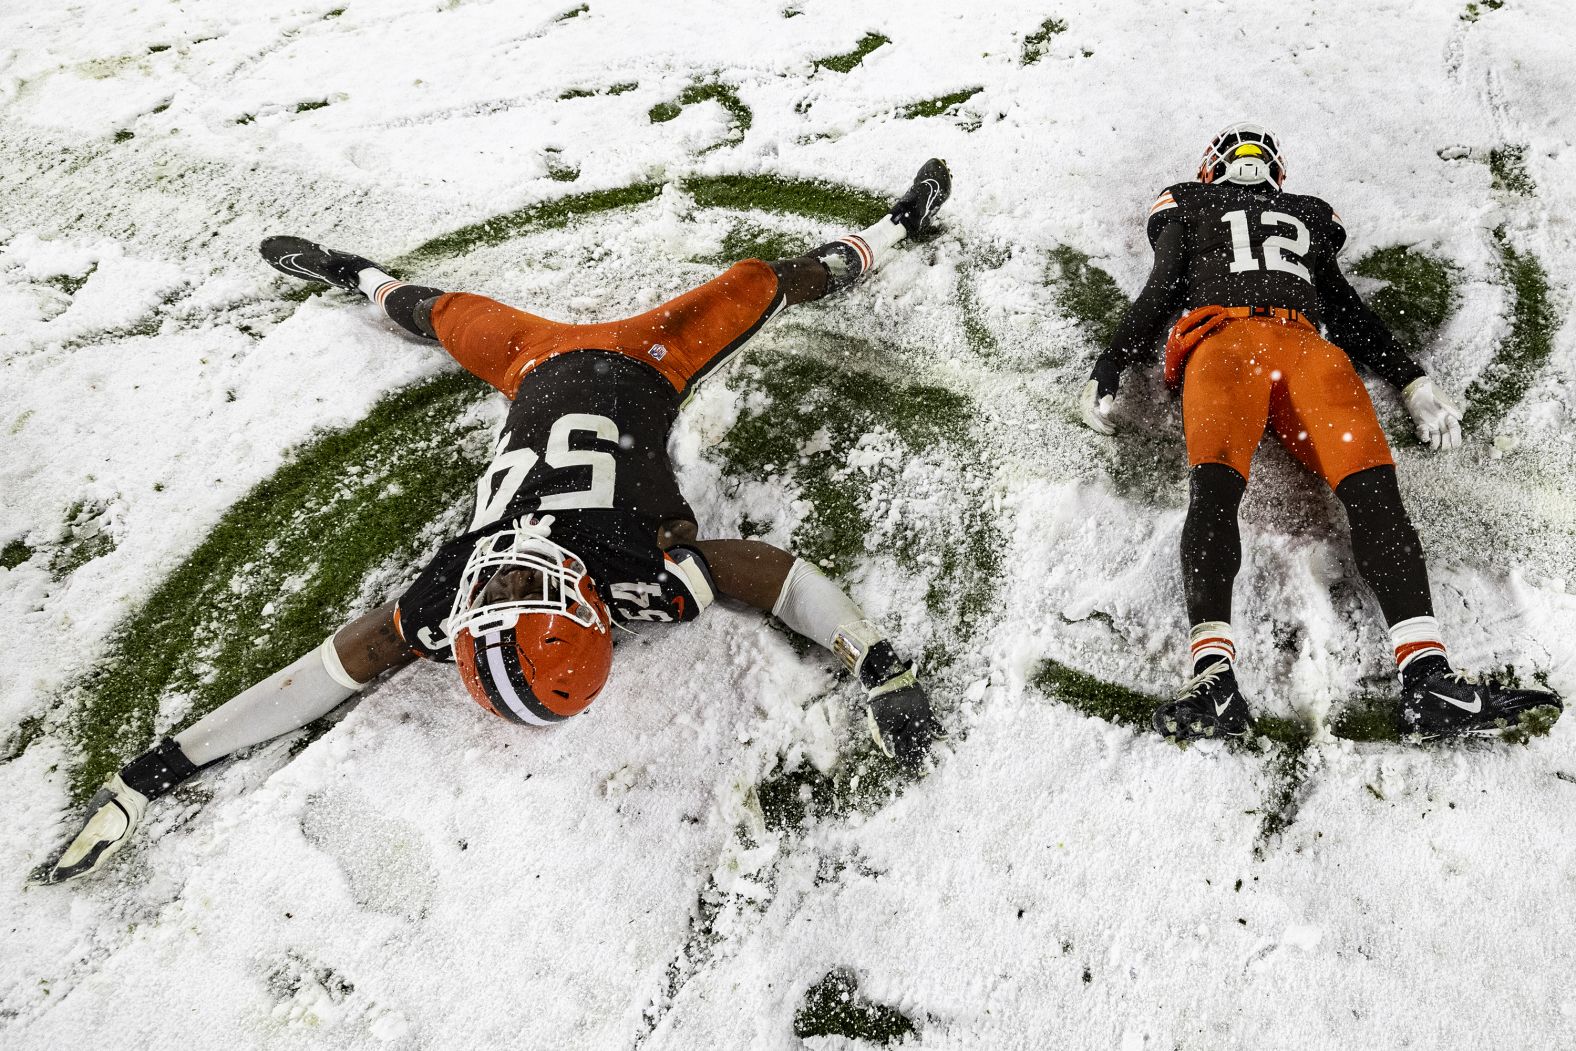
288,700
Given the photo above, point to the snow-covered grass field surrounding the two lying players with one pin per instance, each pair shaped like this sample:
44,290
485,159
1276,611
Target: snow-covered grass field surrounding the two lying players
689,866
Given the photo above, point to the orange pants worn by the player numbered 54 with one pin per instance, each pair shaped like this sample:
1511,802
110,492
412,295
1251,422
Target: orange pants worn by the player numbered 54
685,340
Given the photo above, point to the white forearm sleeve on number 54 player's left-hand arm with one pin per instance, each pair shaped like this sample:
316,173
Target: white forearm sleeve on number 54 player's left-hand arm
288,700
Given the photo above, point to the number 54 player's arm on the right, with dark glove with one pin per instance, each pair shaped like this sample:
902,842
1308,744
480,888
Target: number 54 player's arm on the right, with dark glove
805,600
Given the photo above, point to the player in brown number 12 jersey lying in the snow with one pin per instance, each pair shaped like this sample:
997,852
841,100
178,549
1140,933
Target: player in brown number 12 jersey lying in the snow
1255,273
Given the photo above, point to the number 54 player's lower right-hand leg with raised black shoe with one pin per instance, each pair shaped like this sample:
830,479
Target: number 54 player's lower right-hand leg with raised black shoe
846,261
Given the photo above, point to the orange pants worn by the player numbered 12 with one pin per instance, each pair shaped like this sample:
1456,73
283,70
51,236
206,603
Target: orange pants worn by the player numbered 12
1252,373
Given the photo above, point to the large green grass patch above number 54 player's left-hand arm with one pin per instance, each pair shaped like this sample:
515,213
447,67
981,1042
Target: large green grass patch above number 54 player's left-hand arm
300,544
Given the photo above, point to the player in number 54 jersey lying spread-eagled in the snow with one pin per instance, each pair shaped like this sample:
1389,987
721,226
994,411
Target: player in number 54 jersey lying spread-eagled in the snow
579,521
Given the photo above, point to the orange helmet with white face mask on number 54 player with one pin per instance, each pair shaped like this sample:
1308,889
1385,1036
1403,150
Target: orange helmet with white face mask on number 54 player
535,658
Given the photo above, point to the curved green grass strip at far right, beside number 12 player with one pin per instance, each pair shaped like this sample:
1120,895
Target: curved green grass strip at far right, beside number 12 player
1522,355
